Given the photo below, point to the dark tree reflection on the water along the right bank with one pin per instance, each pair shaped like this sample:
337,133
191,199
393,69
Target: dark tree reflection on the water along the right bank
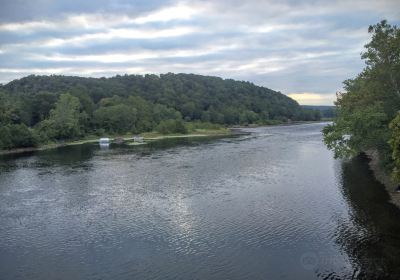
372,236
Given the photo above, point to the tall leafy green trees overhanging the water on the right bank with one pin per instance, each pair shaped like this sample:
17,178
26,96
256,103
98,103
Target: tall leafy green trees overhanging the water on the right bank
368,116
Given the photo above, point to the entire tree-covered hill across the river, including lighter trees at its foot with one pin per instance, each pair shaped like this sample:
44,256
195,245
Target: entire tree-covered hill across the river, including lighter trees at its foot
63,107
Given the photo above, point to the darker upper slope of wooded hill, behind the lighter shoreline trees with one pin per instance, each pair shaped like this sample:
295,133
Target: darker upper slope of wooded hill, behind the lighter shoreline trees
194,96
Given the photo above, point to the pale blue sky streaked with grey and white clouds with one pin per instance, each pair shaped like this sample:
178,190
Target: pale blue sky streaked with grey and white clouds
304,49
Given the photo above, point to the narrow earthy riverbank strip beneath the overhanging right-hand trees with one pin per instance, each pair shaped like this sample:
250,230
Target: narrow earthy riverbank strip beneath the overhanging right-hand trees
382,176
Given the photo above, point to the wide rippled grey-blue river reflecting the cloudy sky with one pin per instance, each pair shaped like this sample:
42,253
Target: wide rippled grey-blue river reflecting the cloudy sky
270,205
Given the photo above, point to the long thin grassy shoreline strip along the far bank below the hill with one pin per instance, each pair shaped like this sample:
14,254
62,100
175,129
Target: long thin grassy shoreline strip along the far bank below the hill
128,139
